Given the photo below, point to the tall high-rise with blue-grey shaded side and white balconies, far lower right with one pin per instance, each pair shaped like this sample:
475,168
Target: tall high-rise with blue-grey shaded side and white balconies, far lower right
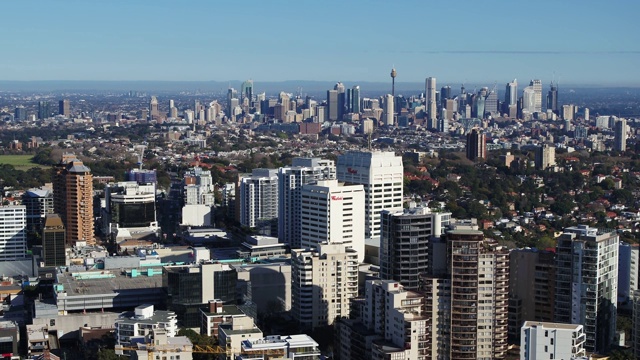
587,283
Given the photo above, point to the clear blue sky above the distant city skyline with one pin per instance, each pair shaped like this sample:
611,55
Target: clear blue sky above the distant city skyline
581,42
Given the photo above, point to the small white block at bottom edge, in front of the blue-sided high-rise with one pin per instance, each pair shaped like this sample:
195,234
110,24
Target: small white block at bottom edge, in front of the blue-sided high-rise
547,340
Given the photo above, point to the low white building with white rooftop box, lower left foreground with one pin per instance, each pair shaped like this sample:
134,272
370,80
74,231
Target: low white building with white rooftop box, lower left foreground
141,323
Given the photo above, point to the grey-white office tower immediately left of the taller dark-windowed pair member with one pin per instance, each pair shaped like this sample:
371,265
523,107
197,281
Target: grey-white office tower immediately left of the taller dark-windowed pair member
259,200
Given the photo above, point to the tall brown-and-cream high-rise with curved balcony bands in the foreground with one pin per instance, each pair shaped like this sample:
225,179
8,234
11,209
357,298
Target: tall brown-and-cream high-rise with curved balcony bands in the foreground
469,318
